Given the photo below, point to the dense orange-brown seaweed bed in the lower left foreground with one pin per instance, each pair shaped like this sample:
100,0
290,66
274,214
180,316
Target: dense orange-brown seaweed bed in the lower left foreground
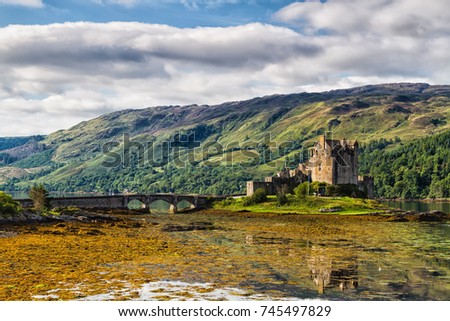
78,259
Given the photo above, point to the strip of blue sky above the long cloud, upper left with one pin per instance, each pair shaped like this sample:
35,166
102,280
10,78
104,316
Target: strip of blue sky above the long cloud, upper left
174,13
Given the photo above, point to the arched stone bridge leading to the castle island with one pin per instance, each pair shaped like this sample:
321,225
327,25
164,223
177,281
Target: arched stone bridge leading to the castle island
122,201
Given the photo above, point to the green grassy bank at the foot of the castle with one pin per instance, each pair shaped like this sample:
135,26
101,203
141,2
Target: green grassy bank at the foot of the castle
309,205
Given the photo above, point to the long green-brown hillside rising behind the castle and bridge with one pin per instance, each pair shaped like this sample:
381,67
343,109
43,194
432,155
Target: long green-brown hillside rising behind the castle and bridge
234,138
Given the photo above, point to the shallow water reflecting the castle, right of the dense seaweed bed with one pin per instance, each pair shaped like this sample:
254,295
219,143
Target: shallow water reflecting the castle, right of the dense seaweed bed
327,258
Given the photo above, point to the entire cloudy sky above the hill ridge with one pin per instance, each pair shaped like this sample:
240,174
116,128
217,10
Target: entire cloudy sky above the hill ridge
69,61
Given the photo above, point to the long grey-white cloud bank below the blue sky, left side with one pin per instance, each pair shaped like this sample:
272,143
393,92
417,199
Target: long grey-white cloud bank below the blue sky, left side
85,69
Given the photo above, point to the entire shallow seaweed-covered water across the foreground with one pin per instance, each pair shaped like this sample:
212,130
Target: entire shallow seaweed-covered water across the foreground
241,256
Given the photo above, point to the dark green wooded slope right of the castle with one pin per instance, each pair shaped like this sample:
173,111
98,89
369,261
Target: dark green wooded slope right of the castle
419,169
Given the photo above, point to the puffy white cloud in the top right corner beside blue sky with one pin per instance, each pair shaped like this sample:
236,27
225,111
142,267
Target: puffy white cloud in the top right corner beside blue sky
382,17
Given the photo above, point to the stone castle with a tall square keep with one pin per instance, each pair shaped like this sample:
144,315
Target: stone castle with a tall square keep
331,161
